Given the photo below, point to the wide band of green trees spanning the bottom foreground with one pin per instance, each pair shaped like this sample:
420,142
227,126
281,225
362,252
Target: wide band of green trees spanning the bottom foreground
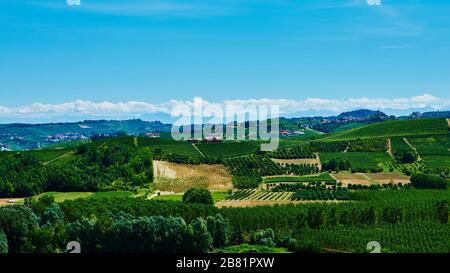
394,217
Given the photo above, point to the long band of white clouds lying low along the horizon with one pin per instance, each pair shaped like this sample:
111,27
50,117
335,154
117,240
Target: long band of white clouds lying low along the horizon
82,108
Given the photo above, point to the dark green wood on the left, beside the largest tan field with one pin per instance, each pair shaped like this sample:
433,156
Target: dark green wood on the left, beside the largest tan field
113,167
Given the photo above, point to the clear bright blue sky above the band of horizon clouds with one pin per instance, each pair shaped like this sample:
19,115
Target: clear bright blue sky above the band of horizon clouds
155,51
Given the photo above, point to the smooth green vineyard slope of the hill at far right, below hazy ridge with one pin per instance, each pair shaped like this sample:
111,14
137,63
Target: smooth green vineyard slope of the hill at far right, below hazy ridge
395,128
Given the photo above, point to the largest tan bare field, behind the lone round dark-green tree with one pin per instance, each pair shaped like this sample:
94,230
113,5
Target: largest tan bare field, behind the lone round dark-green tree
214,177
